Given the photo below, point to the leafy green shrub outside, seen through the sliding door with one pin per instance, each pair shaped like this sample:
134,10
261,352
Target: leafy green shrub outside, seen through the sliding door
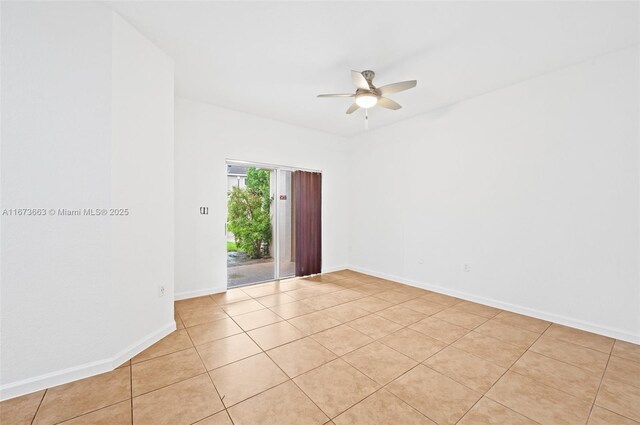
250,214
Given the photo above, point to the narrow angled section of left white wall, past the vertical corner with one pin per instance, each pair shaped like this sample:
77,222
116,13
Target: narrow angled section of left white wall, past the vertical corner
142,244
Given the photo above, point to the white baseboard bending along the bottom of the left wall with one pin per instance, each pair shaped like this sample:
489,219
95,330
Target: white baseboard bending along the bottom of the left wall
48,380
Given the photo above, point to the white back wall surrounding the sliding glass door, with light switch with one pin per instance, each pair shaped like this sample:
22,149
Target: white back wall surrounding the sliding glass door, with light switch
206,136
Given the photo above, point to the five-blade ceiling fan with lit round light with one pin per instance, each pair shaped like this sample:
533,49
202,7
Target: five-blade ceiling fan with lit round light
367,95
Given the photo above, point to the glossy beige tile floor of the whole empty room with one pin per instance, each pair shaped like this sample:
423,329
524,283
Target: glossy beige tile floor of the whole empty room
346,348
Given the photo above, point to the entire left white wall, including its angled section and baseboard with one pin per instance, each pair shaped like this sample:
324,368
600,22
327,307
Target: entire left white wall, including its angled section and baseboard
70,139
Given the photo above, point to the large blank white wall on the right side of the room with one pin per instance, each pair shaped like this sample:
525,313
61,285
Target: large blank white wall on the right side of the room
535,186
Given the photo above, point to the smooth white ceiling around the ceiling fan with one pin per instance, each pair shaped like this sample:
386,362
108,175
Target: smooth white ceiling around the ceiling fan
273,58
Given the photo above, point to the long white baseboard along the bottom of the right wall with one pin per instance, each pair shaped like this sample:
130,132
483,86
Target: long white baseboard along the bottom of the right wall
543,315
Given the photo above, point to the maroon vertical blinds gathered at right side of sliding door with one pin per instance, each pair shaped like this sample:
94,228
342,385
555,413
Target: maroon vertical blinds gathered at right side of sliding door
307,190
